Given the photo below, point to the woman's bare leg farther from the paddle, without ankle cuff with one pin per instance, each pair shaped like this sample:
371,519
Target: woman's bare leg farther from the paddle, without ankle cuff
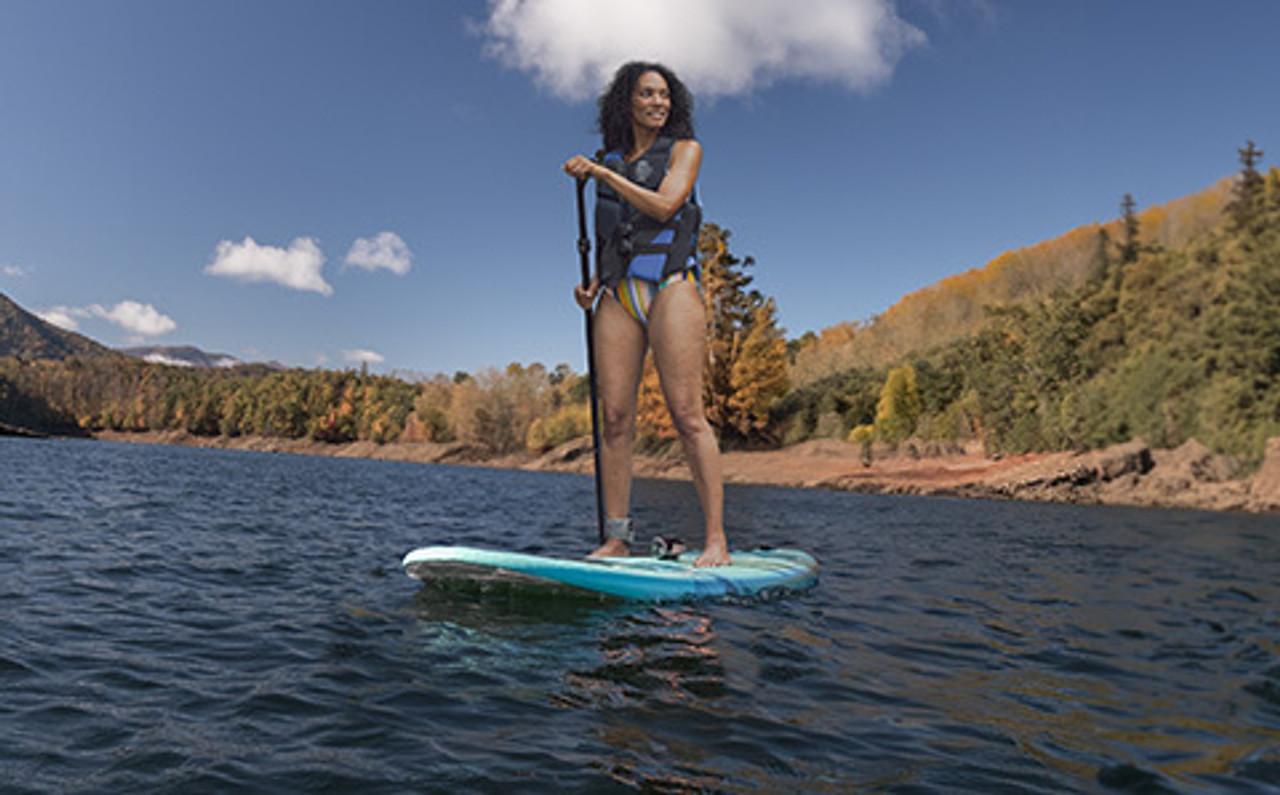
678,332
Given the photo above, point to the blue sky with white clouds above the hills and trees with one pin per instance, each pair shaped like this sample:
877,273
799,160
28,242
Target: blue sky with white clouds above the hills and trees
323,182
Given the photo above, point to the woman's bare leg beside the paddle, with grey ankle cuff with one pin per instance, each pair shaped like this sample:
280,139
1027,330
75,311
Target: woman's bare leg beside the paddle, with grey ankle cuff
621,344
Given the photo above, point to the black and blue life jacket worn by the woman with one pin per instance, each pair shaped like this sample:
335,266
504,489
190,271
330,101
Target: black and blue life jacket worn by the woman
629,243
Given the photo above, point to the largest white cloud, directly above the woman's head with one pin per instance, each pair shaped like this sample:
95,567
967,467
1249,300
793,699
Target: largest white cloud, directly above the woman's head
717,47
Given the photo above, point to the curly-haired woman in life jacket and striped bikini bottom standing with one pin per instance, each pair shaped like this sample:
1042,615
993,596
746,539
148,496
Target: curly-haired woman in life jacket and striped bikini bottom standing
648,290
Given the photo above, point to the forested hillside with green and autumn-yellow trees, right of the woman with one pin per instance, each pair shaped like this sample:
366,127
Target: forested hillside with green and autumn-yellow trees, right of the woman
1165,339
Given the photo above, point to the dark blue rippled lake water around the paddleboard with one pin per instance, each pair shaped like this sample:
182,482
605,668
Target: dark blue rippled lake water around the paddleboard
185,620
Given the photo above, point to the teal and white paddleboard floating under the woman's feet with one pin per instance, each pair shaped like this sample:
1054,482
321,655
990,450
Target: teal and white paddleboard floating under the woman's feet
638,579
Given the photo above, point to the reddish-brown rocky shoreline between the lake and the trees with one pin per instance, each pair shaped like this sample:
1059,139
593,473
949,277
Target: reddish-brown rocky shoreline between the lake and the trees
1131,474
